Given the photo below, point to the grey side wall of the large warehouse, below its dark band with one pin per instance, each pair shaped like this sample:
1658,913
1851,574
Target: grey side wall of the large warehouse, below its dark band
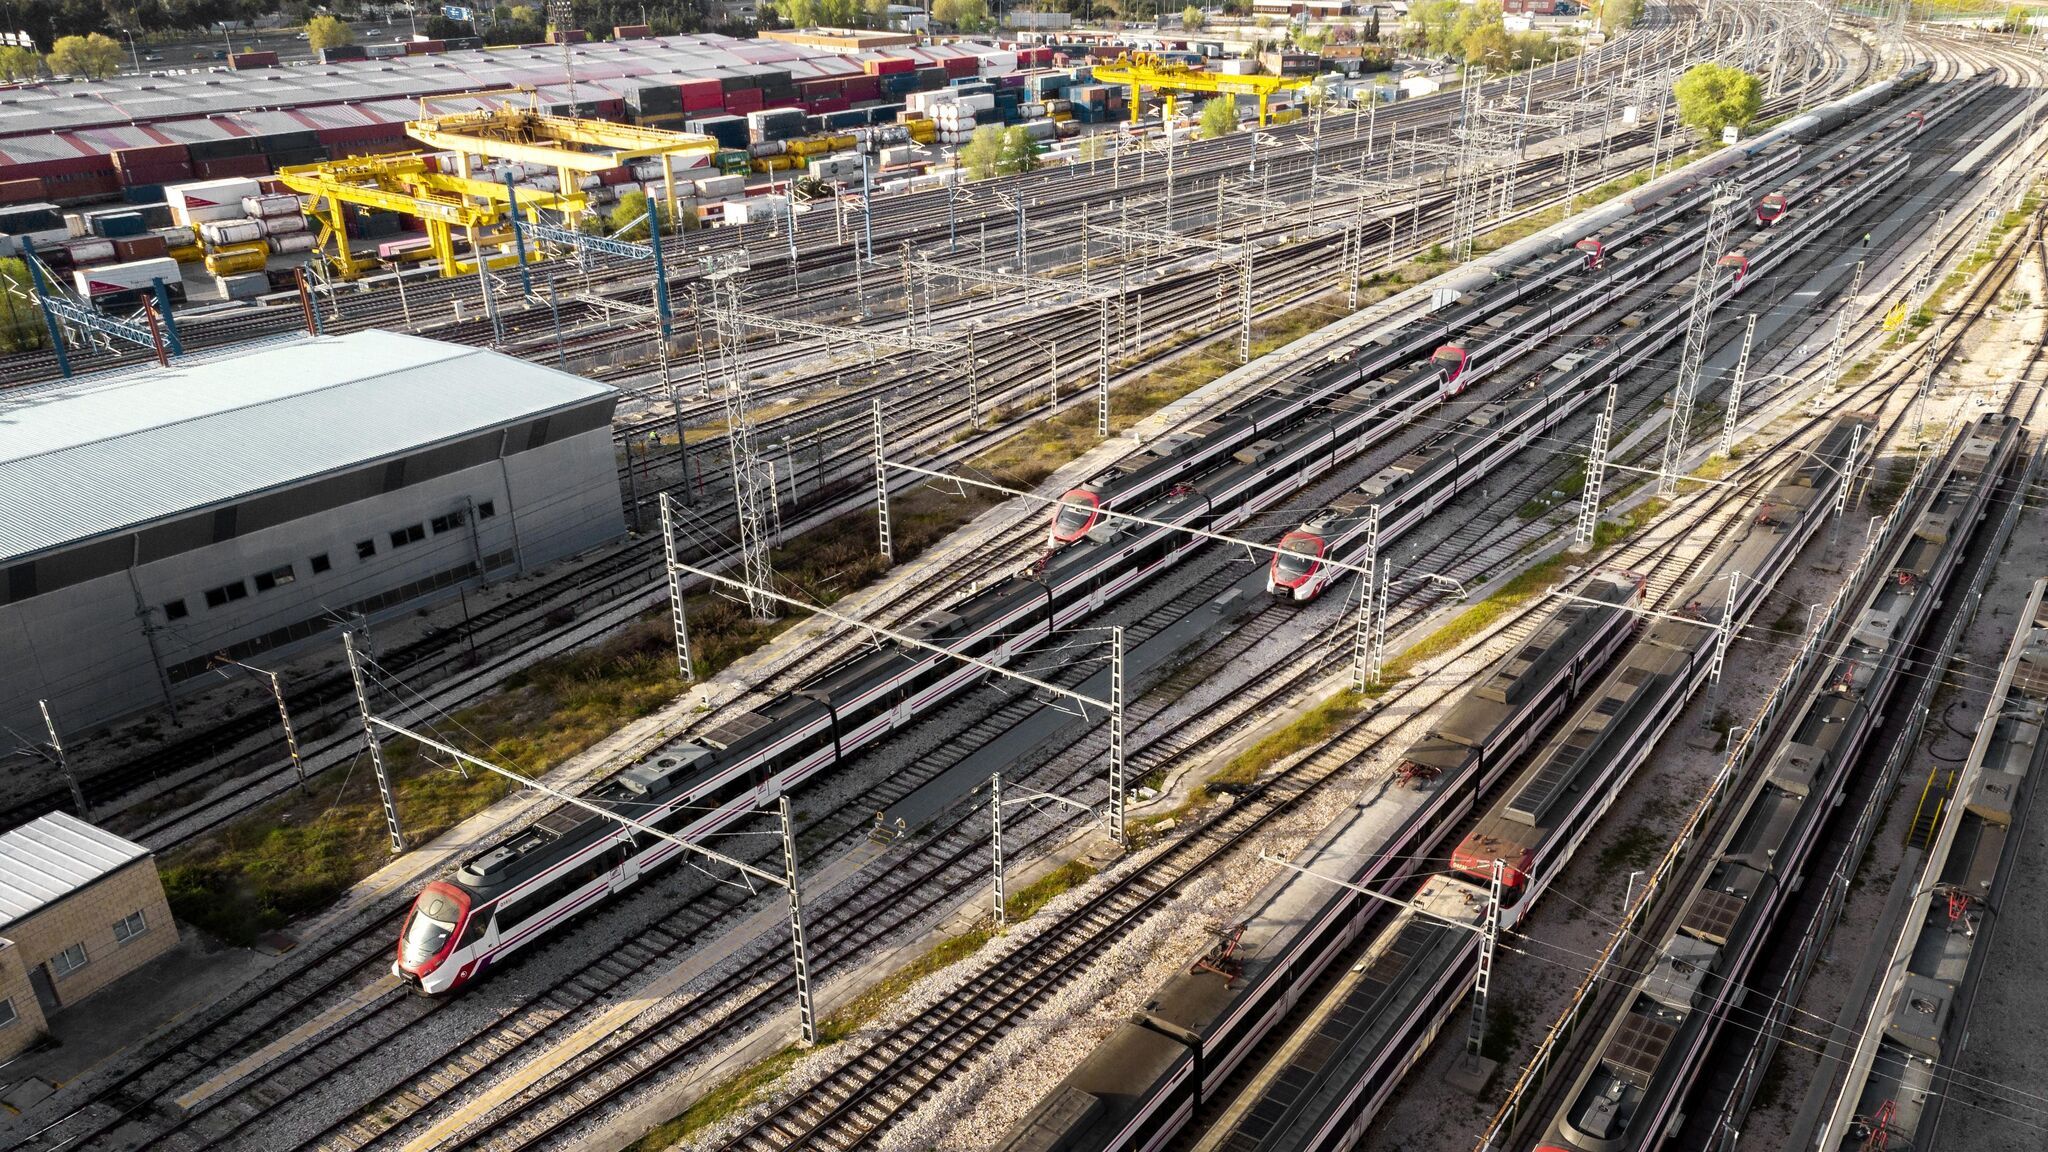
87,647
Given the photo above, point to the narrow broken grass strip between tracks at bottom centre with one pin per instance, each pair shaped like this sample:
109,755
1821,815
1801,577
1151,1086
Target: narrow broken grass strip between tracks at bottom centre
734,1096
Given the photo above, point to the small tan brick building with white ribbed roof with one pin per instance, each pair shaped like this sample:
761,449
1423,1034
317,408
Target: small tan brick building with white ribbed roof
79,909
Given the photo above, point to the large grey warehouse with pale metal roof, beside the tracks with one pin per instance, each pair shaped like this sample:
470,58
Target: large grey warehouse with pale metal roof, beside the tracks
257,501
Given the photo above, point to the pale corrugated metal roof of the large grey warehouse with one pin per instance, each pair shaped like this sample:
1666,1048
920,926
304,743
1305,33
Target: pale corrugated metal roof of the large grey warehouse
108,456
